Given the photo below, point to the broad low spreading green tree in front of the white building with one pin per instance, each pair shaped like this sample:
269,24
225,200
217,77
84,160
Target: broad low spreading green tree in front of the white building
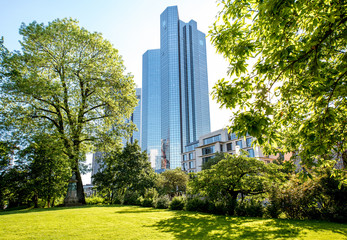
233,176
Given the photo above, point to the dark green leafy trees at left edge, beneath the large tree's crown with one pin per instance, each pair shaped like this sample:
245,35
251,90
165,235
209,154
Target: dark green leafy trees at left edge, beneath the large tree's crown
41,172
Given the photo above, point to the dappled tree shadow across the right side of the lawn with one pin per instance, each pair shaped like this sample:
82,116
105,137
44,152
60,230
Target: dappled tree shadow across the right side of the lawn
203,226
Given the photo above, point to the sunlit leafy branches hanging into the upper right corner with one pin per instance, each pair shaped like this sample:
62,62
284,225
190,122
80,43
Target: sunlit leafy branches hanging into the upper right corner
294,96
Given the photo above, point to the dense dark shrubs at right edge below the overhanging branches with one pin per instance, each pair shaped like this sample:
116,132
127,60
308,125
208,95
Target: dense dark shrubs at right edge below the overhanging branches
322,196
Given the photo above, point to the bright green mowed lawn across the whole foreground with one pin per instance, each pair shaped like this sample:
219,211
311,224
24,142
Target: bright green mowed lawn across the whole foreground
131,222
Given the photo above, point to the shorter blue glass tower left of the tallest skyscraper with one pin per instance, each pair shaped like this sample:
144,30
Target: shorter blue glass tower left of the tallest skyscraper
151,106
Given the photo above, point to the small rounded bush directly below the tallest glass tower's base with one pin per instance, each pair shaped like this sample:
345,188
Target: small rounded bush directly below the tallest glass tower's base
172,182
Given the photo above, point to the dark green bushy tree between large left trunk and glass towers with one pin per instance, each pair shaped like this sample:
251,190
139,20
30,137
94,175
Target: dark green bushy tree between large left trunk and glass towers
128,169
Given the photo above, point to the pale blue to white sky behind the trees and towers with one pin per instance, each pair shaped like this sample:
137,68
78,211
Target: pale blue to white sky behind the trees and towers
132,26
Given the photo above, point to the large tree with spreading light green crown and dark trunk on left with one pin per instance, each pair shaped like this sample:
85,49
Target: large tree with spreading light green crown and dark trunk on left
70,82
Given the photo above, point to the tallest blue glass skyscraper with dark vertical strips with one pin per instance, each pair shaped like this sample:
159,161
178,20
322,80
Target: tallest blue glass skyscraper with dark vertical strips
185,113
